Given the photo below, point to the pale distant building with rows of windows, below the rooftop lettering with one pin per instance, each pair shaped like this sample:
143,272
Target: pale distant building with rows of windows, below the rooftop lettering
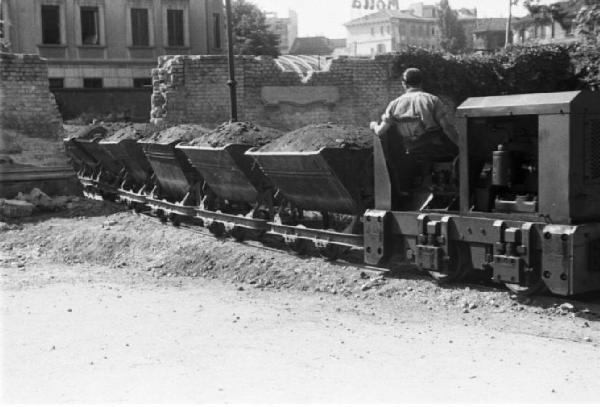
393,30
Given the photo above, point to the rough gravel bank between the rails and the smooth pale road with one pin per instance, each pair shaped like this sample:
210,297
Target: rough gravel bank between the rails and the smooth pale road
100,233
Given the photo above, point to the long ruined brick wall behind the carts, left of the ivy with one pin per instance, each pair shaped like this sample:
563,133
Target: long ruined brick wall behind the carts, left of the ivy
193,89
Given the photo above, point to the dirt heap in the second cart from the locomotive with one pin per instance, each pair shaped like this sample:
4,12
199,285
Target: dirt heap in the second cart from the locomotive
236,132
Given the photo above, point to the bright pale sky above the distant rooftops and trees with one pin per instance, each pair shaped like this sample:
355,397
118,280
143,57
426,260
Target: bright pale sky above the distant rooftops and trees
325,17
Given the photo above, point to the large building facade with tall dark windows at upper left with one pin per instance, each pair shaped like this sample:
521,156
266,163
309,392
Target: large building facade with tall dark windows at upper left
111,43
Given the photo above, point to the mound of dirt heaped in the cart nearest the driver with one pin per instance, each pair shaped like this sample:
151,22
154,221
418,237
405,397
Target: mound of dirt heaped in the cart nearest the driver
316,136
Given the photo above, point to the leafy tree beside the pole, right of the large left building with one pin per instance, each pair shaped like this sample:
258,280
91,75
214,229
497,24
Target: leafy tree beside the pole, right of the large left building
250,31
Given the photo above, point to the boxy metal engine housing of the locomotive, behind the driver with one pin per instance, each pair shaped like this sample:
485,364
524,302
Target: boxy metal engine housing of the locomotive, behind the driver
531,156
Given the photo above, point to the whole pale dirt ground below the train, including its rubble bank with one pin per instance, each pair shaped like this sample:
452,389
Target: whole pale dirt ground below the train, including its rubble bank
126,329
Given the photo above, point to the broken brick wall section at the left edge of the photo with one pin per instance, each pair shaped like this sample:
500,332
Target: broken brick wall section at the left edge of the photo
26,104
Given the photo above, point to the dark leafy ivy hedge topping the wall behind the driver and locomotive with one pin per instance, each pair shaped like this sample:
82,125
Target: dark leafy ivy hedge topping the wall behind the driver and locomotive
549,68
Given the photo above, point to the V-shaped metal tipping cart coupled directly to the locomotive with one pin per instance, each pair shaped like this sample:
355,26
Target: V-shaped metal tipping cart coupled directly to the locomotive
331,181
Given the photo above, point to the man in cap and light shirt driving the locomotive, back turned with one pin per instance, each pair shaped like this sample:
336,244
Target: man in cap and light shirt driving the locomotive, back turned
420,119
